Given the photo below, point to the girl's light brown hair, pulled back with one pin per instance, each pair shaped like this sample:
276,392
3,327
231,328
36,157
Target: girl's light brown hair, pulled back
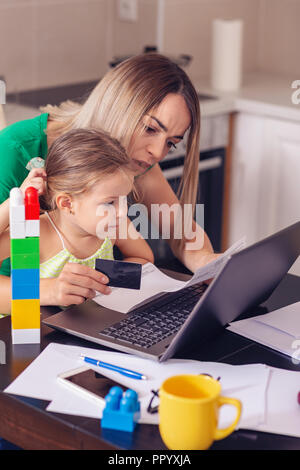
78,159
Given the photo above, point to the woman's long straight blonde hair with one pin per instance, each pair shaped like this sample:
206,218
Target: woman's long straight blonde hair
128,92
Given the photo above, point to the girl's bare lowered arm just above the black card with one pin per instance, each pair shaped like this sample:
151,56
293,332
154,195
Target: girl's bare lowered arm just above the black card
134,248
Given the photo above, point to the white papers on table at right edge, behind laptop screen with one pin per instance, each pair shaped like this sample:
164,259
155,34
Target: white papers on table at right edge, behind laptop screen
279,330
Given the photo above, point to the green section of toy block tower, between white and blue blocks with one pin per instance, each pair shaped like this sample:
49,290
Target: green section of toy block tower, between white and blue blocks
25,253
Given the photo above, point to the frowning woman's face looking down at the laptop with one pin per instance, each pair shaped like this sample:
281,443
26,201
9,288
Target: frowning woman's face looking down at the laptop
162,129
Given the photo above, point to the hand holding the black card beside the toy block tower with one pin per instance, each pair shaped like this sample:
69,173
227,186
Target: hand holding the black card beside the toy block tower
74,285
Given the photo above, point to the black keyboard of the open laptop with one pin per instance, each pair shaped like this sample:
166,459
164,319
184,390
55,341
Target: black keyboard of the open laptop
147,326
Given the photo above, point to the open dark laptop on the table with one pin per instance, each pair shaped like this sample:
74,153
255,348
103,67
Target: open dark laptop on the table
174,321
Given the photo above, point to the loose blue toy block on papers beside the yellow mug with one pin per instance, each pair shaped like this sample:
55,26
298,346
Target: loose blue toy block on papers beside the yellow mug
121,411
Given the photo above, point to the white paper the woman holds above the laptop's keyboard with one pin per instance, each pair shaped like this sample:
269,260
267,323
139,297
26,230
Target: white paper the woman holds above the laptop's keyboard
154,282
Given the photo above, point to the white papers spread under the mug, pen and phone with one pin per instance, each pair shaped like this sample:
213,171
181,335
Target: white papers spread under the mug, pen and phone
267,406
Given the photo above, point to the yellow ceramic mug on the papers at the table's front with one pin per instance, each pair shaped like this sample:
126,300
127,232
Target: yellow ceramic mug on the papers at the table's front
188,412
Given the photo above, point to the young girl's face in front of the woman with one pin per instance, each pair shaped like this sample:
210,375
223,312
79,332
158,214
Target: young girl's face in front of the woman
101,210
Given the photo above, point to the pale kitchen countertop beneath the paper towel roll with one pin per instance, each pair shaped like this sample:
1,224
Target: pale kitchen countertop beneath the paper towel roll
259,94
